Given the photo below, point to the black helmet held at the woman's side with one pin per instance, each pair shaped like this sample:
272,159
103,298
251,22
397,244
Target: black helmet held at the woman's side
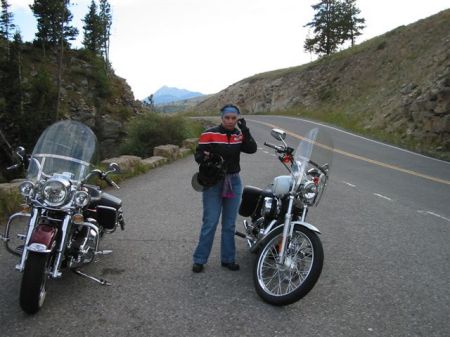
210,172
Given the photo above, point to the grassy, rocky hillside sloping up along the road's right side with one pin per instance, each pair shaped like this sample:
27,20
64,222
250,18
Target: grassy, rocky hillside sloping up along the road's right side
396,86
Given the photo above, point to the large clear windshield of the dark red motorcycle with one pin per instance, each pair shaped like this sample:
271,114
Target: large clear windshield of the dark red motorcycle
67,148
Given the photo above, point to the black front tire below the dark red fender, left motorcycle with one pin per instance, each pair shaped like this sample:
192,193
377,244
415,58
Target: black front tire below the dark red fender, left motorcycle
34,279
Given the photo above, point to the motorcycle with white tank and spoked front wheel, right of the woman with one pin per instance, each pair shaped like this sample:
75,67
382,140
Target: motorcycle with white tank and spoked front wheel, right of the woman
289,252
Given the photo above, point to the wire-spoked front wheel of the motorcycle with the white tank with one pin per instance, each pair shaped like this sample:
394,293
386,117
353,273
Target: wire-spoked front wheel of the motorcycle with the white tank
285,284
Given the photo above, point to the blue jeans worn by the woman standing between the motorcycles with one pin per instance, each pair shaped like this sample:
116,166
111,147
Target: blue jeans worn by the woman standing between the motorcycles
213,205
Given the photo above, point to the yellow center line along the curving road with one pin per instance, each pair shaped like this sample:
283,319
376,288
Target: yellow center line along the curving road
368,160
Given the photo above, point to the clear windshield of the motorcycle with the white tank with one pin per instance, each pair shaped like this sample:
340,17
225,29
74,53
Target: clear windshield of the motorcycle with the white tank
315,151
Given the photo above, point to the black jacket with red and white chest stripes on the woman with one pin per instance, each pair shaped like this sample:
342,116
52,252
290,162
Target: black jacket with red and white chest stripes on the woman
227,143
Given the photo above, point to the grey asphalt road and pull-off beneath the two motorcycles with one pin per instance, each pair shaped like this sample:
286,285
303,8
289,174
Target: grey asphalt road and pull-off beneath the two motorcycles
385,224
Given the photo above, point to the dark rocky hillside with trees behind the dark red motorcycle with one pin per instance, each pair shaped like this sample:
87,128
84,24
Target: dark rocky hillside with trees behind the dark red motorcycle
89,93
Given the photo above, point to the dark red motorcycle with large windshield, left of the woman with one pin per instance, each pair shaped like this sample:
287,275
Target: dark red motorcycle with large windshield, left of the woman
66,215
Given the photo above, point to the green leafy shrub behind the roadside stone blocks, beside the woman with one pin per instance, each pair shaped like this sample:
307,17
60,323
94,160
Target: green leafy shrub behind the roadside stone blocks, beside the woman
151,129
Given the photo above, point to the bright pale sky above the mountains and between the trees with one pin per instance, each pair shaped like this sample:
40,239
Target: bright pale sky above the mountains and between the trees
207,45
